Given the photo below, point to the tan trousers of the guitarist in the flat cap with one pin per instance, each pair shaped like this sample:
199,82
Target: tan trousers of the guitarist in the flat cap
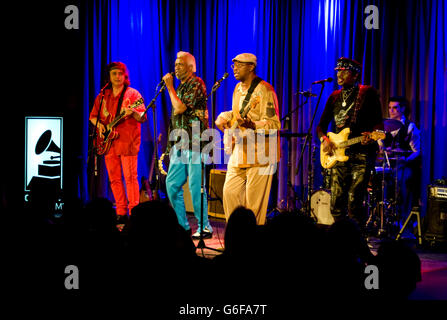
248,187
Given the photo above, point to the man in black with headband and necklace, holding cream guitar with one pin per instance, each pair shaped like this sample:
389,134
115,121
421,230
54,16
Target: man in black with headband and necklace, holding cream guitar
356,107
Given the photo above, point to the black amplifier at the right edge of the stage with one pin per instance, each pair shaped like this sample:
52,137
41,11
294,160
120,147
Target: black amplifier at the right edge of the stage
436,217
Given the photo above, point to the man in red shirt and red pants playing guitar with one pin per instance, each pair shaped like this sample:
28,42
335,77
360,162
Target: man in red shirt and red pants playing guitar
122,157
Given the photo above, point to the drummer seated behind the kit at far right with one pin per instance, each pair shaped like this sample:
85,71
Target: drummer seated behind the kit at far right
404,145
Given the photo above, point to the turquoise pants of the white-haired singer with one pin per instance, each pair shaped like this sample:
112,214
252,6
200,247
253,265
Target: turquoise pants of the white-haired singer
184,163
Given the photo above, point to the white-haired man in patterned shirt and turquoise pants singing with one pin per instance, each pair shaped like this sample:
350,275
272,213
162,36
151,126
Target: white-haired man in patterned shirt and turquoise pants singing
188,110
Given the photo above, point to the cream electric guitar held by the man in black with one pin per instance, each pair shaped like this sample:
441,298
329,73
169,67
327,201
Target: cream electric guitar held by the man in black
329,159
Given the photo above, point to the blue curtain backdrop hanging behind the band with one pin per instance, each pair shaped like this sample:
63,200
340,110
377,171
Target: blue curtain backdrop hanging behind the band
296,42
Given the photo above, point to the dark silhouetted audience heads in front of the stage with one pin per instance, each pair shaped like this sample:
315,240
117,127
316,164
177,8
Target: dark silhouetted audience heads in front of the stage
289,257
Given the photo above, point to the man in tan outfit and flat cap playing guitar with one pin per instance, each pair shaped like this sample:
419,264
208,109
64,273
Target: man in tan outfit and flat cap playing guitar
248,183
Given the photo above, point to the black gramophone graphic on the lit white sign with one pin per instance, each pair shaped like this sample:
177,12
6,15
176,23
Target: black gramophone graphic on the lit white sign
49,170
